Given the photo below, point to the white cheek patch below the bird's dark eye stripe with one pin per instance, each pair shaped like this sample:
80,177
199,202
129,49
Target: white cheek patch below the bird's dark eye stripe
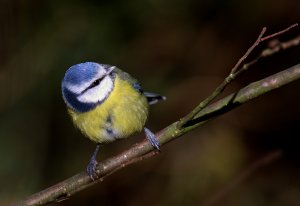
98,93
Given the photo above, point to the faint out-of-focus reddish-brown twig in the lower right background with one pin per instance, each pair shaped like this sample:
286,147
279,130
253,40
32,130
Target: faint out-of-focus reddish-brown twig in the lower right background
258,164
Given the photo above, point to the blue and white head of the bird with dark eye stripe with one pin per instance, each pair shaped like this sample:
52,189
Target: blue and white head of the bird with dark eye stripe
86,85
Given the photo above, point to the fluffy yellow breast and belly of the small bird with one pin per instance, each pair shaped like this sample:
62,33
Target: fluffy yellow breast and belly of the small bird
123,113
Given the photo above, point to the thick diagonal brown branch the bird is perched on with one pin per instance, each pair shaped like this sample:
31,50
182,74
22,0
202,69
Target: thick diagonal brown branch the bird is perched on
142,150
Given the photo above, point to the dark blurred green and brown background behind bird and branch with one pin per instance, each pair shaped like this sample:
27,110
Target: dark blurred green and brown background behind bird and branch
180,48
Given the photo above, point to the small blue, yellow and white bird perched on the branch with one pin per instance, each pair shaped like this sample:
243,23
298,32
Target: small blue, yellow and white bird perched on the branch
106,104
